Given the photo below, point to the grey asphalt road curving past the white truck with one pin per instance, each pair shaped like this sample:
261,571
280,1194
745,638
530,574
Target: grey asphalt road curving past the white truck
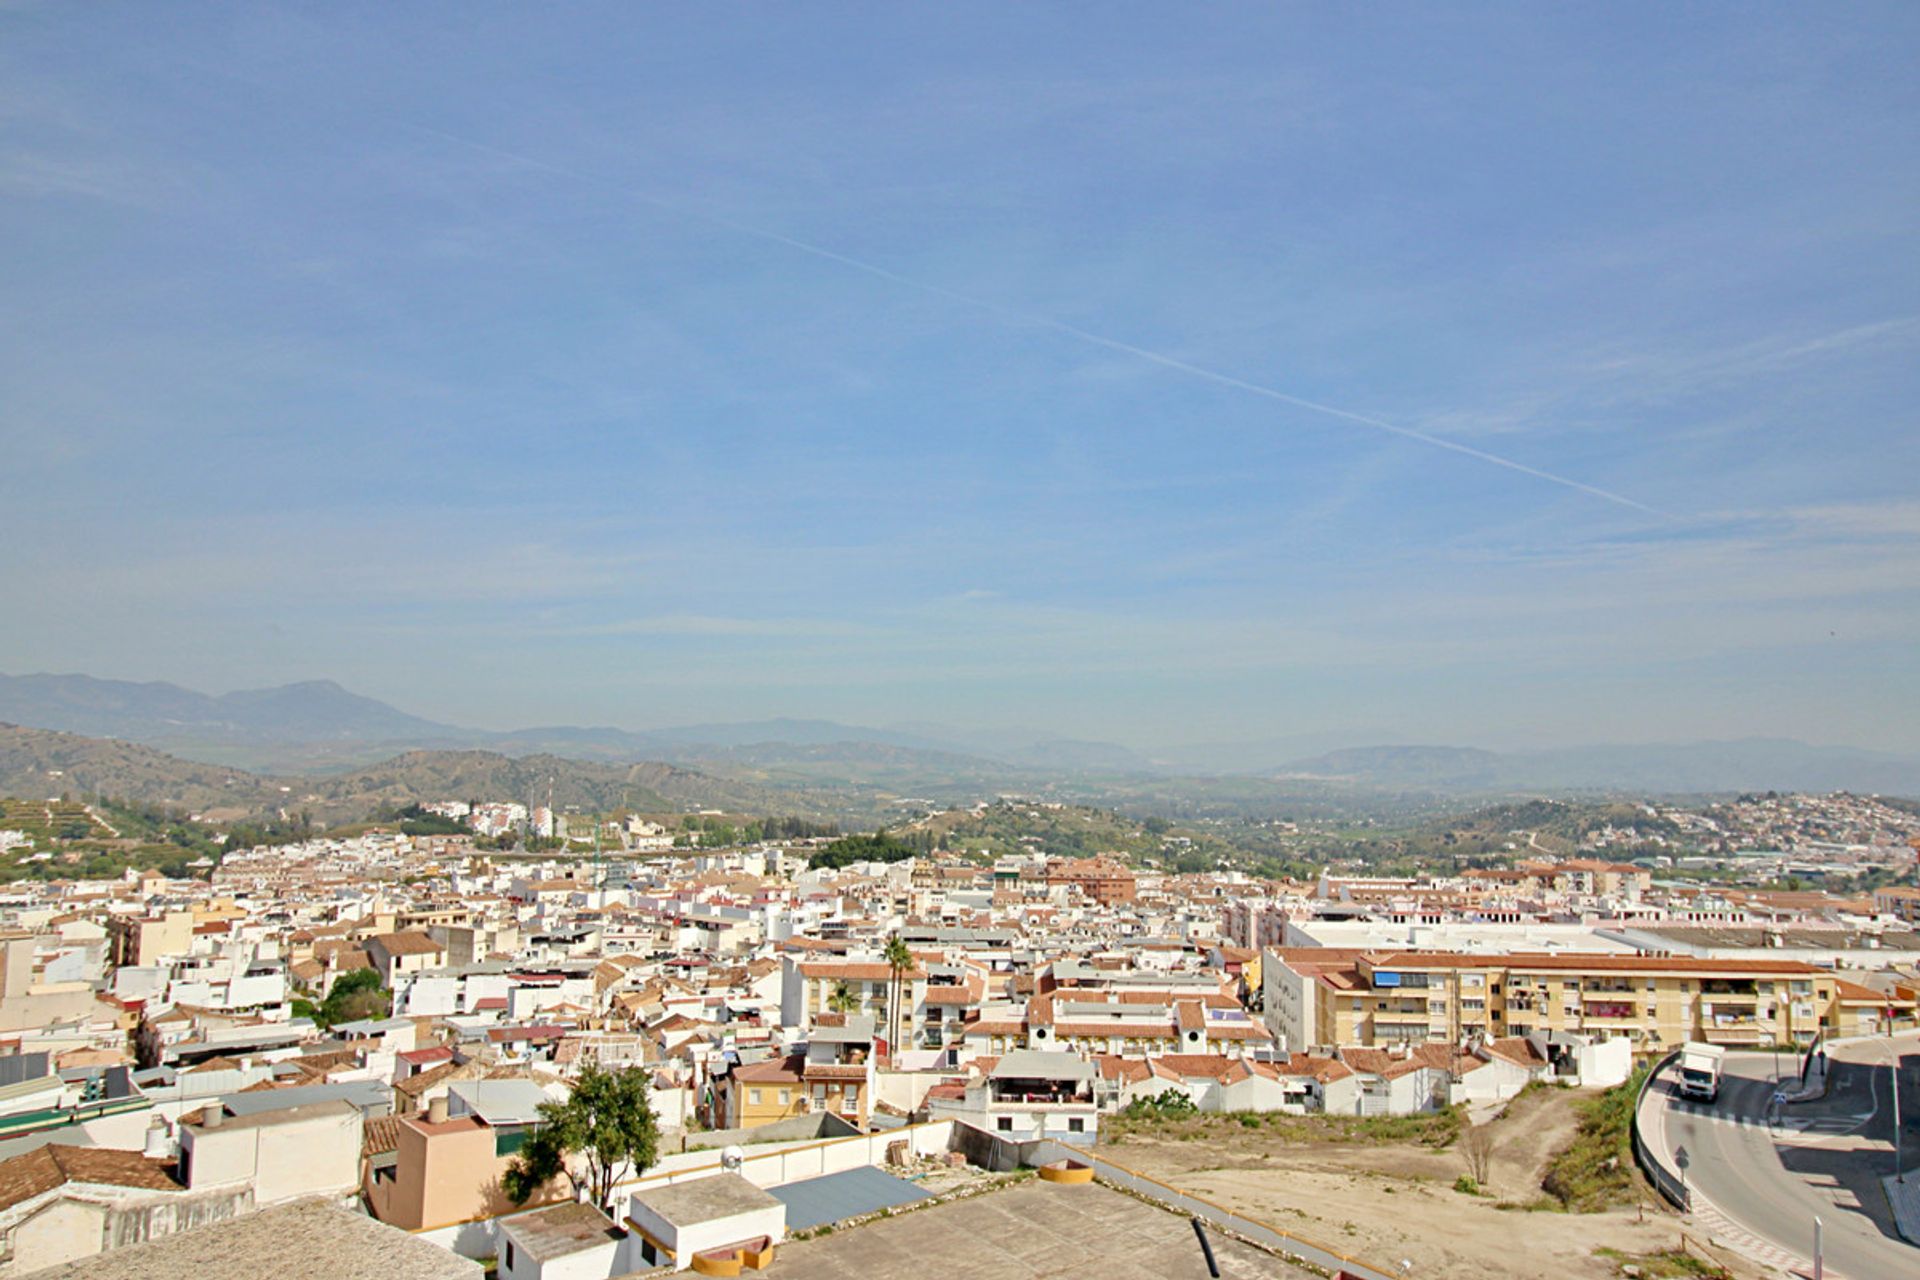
1823,1158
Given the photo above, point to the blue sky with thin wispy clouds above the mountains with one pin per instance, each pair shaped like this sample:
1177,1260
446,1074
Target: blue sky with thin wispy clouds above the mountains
903,364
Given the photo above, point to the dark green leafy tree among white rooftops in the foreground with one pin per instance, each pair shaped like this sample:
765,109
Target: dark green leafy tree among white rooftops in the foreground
606,1124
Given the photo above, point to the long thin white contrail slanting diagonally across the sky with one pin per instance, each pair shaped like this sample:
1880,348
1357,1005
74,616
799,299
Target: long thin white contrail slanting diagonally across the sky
1059,327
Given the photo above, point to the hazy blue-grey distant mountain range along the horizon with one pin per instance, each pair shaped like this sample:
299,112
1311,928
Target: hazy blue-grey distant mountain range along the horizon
318,728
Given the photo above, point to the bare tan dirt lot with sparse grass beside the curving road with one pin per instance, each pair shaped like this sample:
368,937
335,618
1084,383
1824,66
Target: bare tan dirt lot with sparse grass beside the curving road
1391,1202
